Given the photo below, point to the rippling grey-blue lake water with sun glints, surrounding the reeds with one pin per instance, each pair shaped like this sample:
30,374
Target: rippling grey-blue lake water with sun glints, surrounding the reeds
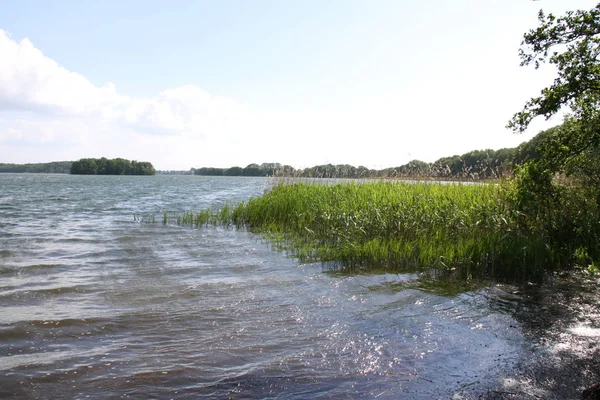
96,304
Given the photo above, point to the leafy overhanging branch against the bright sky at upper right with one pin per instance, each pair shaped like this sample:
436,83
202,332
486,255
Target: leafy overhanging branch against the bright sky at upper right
572,43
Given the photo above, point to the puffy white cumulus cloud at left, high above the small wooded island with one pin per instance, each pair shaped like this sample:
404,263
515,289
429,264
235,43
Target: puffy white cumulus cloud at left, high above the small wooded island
32,82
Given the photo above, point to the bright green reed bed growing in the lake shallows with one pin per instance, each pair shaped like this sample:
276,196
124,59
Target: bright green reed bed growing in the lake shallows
395,226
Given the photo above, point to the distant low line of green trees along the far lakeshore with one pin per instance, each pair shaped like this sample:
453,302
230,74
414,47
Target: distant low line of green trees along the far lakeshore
477,165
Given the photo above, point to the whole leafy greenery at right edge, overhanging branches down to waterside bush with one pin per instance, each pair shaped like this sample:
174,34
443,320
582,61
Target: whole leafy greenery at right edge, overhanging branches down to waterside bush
564,212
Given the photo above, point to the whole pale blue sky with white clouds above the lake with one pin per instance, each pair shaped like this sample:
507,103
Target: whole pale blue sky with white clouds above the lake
226,83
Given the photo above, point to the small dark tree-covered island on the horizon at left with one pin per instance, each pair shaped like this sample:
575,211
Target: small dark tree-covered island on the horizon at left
117,166
